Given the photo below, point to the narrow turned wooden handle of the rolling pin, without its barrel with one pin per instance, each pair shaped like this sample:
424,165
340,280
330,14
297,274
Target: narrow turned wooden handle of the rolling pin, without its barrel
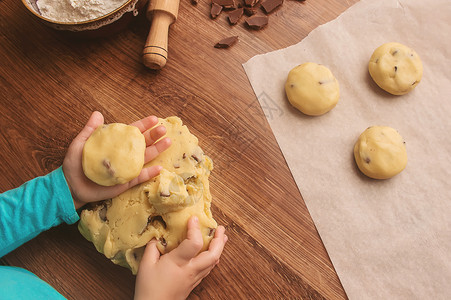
155,52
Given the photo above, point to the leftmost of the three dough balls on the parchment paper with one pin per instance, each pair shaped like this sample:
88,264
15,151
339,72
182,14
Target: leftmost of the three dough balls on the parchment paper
312,88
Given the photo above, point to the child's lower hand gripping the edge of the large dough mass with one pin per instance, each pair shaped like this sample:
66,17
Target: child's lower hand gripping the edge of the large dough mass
175,274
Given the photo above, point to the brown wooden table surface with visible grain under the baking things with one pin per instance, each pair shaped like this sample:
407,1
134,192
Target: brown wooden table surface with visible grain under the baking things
49,85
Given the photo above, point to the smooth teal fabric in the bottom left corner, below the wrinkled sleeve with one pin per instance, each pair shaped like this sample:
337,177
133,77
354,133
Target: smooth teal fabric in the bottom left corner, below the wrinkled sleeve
17,283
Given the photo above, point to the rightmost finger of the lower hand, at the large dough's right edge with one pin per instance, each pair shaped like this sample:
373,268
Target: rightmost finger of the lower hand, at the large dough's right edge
208,259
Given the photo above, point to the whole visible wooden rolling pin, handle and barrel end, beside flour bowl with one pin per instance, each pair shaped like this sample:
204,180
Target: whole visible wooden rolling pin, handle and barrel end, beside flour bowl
161,13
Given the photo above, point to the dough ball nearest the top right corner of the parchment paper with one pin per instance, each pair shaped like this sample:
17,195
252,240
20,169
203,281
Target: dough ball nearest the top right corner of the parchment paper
395,68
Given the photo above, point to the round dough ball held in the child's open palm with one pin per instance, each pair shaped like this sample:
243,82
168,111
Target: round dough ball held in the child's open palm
114,154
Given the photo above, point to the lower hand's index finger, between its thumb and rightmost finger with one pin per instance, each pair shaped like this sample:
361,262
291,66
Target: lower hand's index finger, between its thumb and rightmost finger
191,246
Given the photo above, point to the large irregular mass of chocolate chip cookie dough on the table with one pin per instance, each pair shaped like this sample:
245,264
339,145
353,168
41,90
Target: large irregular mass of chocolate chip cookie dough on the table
160,208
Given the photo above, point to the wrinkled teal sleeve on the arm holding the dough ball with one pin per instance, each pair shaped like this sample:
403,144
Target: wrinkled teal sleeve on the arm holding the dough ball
34,207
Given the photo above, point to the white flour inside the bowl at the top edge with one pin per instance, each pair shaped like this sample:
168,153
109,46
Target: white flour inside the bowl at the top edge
76,10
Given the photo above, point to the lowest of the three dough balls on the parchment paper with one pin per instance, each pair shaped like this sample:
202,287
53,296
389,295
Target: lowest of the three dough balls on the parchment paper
380,152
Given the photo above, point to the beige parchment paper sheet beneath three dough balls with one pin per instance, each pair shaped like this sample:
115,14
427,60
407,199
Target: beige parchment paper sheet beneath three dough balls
388,239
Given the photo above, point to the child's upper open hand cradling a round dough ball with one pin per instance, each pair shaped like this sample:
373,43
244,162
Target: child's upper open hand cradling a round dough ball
84,190
